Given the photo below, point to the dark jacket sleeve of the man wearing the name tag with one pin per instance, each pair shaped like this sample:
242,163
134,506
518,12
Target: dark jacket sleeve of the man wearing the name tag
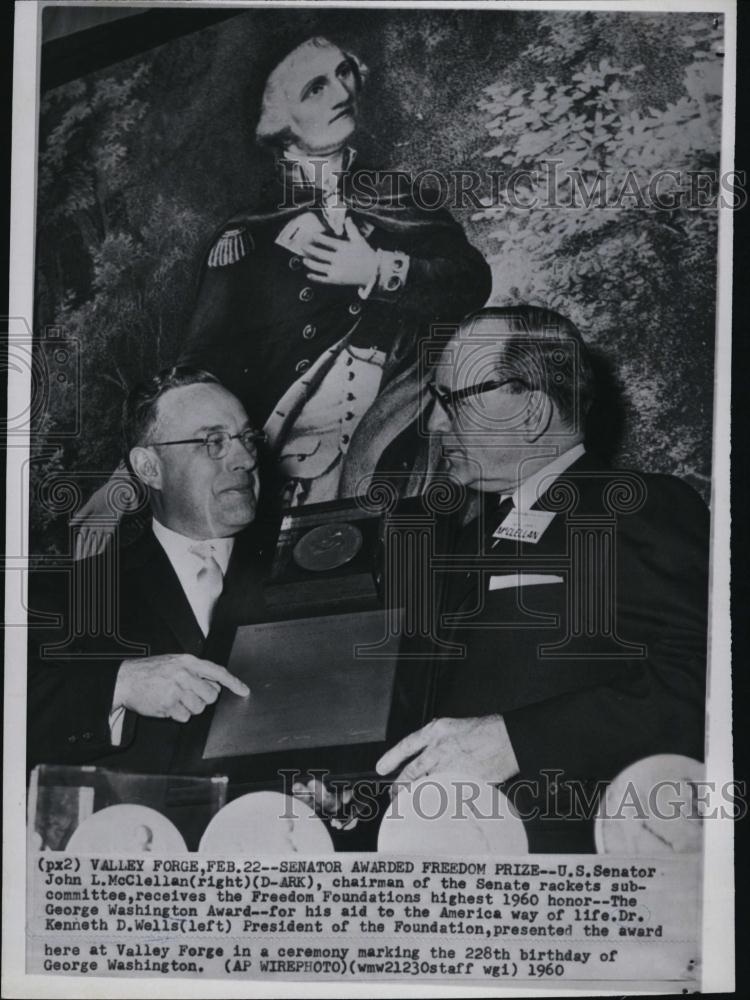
655,704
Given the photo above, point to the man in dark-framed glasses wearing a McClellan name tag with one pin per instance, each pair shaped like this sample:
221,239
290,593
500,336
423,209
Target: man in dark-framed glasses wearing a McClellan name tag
575,596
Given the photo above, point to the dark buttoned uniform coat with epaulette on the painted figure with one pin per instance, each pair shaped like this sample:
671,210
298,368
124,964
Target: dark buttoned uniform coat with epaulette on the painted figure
259,323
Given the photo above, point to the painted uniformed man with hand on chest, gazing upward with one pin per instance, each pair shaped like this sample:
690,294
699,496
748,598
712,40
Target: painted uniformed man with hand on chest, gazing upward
311,304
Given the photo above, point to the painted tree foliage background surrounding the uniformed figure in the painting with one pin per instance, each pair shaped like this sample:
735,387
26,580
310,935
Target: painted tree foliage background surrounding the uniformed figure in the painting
140,162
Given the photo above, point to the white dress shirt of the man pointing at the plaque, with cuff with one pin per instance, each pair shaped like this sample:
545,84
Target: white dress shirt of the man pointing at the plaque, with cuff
187,565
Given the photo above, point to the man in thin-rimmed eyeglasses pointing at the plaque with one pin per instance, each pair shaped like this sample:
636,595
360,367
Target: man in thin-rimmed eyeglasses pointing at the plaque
135,659
